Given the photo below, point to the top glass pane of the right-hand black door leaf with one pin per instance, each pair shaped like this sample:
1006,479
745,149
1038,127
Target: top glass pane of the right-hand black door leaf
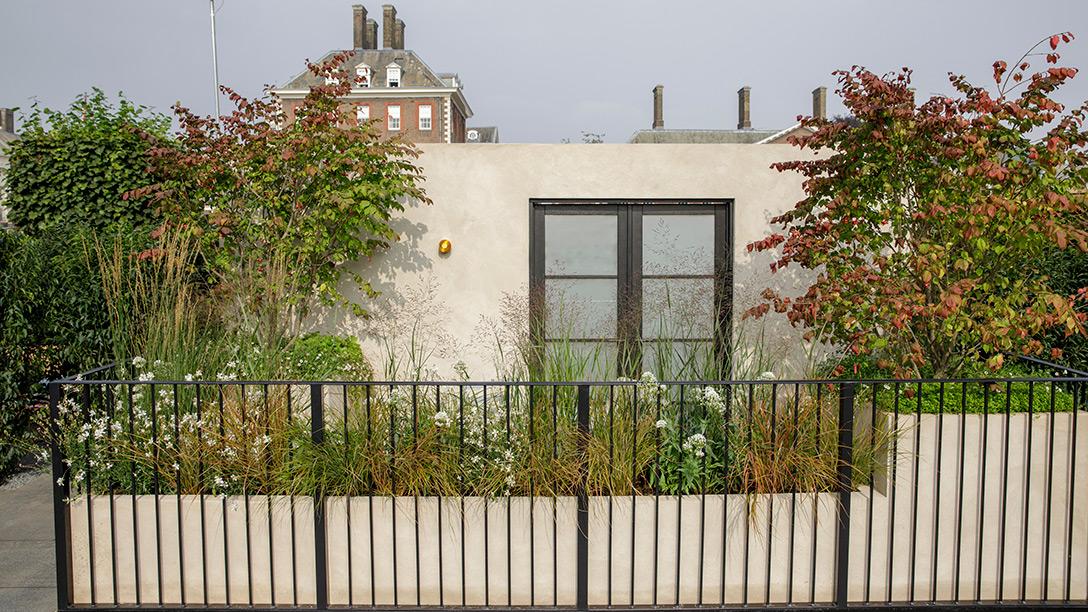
678,244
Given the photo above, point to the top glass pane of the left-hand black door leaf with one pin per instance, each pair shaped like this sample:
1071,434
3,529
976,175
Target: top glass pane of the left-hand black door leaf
580,244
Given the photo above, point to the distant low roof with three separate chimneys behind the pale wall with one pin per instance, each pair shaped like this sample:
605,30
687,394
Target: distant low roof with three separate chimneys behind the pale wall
744,136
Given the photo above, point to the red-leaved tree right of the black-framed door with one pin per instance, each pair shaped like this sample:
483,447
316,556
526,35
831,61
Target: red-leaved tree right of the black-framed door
923,225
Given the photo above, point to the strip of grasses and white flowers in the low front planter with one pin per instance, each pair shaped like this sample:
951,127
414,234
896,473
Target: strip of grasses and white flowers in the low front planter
503,439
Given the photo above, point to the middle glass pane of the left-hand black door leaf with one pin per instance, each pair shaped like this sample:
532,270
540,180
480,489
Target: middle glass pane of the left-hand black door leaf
580,309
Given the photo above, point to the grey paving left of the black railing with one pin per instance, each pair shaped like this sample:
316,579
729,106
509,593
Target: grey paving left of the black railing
28,572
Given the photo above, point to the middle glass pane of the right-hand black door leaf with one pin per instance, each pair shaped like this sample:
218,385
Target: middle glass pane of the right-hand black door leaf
678,309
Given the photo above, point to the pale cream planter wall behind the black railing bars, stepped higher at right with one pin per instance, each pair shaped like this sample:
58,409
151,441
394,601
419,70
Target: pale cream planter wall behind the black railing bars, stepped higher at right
750,525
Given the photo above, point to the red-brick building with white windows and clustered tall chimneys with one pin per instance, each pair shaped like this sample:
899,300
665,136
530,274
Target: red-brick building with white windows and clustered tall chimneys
401,94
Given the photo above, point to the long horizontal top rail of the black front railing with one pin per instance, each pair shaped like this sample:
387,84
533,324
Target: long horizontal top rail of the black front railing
902,382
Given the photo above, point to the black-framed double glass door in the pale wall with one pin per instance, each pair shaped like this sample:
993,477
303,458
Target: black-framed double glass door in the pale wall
625,287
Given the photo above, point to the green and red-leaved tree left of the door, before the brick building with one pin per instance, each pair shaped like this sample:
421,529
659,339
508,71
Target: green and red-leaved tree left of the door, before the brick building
288,199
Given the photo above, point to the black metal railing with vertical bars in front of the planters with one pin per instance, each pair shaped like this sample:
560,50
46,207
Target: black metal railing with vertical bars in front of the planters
772,494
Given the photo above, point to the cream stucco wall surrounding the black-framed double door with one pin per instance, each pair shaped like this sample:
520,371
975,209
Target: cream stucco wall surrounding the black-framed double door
481,203
